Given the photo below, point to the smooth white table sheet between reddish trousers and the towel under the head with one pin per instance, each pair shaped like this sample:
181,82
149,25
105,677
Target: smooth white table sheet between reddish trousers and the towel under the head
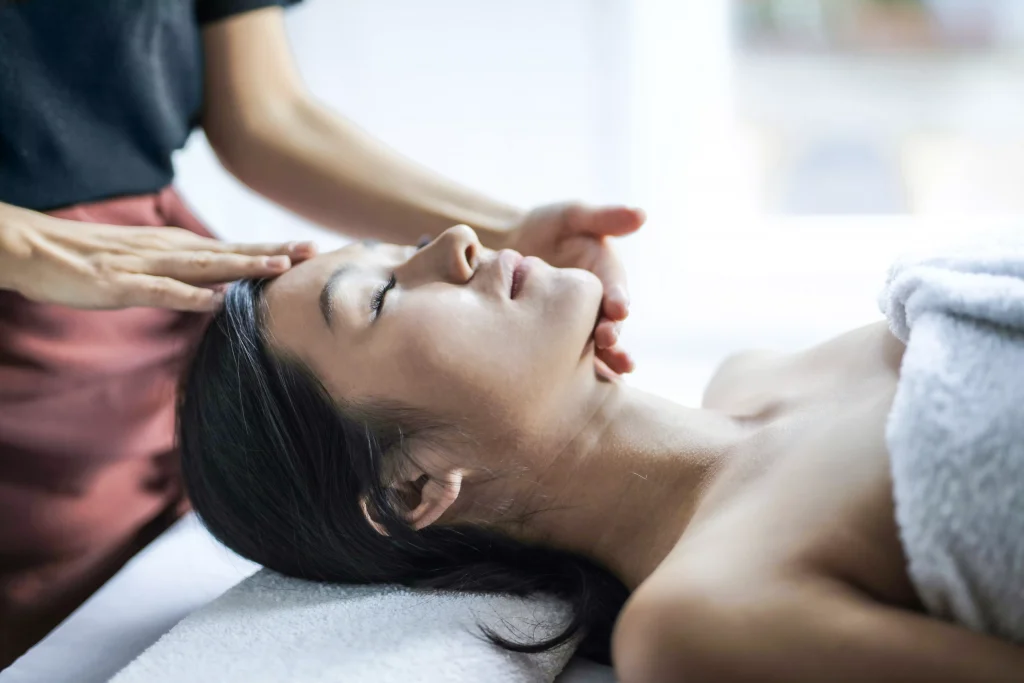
179,573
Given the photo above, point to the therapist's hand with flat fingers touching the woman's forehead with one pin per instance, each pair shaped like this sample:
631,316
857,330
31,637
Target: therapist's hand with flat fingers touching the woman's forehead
87,266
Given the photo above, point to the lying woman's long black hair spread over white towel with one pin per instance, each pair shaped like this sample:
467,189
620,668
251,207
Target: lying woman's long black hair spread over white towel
276,469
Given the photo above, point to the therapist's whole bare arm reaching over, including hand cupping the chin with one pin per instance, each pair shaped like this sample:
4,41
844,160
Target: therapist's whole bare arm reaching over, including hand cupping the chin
272,135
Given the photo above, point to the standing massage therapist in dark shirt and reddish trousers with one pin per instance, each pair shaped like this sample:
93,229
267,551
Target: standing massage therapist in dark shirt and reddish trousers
107,279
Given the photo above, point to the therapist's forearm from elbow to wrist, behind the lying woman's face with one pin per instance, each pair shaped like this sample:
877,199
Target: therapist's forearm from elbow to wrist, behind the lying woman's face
330,172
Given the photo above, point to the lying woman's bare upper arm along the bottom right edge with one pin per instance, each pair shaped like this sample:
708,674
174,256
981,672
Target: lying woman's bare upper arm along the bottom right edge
795,629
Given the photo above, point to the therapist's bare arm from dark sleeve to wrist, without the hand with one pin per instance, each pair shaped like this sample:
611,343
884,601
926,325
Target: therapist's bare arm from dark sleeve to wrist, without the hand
274,137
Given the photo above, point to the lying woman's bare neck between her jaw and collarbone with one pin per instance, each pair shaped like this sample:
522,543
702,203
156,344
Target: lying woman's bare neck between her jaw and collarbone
623,488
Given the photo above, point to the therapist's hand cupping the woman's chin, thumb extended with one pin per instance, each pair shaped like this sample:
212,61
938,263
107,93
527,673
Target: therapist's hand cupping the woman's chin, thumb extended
574,236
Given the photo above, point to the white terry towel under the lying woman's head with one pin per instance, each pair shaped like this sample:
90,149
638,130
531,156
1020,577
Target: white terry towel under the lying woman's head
273,628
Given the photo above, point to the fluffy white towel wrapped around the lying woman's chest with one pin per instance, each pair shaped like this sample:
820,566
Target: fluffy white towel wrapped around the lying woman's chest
956,433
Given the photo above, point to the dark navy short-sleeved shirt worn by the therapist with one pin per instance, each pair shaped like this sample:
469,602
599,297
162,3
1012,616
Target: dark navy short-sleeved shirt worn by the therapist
97,95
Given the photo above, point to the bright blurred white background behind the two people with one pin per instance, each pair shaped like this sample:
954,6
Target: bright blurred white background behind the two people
786,150
